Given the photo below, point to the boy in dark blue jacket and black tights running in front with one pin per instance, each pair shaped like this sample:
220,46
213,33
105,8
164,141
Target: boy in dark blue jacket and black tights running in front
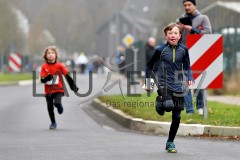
173,60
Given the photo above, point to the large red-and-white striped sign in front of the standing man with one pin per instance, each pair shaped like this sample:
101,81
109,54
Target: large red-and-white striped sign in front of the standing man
206,57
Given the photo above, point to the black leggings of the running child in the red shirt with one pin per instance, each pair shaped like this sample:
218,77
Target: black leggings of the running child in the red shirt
53,100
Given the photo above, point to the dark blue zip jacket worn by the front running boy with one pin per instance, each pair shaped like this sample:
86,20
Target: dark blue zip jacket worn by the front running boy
173,63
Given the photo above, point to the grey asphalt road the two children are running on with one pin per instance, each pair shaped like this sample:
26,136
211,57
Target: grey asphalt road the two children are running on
84,133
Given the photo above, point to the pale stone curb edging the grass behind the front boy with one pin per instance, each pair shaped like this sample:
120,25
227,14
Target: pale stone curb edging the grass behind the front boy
158,127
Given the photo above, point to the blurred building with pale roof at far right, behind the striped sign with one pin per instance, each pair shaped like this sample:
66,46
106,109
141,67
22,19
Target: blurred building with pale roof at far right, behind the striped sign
224,17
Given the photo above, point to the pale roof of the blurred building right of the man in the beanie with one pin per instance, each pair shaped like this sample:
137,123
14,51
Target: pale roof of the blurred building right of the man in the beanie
234,6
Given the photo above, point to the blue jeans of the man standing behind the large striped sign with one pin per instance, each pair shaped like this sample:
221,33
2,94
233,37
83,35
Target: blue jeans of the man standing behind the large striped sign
189,102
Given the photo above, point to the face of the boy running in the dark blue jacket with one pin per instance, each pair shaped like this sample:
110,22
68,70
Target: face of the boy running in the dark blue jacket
173,36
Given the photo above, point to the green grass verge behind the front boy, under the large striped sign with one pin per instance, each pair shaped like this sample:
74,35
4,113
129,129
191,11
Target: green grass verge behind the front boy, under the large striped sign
219,114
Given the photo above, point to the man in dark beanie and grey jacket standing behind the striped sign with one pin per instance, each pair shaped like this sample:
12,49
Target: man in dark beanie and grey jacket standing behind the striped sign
200,24
